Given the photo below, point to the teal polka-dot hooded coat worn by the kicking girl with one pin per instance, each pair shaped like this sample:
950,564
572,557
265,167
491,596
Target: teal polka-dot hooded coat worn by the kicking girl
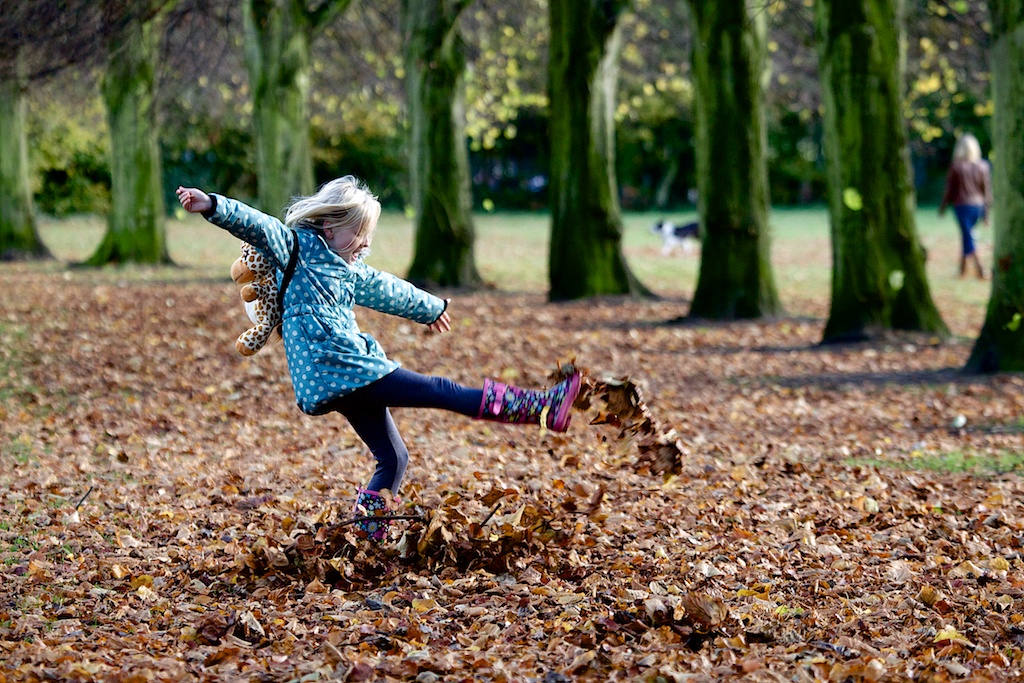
328,356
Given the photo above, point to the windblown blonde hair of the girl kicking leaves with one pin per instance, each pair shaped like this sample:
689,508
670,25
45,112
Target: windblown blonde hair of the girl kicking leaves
344,204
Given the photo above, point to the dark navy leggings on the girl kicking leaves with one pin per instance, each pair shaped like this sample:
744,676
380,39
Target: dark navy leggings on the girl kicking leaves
367,410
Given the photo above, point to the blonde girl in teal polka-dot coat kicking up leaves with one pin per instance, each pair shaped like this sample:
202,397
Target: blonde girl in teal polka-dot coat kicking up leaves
335,368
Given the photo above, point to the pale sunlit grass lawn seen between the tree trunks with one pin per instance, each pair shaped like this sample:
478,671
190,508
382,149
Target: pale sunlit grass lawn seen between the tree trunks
513,254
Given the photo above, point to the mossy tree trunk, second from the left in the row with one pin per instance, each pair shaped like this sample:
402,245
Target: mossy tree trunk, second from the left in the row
136,230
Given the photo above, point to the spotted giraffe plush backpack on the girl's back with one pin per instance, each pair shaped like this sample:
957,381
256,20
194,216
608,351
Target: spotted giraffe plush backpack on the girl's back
260,294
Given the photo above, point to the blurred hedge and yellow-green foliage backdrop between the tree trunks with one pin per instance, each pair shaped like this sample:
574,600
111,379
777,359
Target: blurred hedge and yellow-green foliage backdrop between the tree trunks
358,124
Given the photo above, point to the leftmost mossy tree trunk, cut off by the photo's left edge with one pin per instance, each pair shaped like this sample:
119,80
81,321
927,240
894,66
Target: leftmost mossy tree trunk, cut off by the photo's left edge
19,238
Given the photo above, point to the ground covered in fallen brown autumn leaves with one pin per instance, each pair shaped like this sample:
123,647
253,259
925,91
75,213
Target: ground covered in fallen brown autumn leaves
166,513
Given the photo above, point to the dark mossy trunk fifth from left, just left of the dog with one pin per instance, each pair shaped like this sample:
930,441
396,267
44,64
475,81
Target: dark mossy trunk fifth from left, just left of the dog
586,258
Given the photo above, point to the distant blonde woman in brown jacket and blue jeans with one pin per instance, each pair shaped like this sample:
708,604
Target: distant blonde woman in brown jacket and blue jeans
969,191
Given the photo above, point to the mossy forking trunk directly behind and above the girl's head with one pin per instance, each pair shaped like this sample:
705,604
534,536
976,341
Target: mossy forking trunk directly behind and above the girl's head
278,38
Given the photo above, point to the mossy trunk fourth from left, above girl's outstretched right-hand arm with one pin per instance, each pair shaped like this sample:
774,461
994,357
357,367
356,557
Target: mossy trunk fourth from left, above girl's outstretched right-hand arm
440,182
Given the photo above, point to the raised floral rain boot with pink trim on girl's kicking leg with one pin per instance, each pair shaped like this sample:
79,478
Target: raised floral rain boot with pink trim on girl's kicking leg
503,403
